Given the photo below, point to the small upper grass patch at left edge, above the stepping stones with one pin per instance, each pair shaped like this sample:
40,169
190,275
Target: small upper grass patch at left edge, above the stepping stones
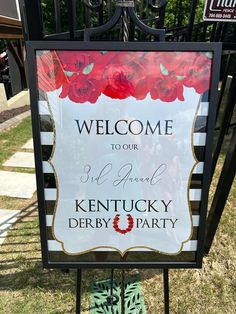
12,140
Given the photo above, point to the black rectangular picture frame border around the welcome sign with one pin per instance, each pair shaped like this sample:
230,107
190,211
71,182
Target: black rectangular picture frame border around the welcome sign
32,47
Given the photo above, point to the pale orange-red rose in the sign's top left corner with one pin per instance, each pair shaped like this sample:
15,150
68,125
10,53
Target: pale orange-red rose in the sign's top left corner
50,73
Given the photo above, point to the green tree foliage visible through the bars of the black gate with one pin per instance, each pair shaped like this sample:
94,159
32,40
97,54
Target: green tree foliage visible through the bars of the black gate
177,13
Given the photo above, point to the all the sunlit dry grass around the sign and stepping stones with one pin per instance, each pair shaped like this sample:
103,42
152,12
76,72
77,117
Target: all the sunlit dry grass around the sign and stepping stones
27,288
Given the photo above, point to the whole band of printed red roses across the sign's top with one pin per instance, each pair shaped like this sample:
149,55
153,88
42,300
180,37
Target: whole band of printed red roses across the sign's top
84,75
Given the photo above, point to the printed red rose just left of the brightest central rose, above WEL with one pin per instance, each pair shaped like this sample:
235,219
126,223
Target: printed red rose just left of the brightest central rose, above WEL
80,89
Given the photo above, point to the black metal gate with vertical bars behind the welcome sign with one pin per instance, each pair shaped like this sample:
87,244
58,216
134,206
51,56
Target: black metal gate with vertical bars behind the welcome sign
149,20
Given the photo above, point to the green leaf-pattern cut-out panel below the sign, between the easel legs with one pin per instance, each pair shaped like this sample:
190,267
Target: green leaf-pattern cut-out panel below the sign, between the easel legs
134,301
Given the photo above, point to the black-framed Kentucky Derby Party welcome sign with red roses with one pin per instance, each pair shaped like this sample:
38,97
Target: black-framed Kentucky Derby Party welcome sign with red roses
122,135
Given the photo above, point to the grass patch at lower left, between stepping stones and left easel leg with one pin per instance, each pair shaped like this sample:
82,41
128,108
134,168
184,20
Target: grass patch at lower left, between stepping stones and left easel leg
25,287
